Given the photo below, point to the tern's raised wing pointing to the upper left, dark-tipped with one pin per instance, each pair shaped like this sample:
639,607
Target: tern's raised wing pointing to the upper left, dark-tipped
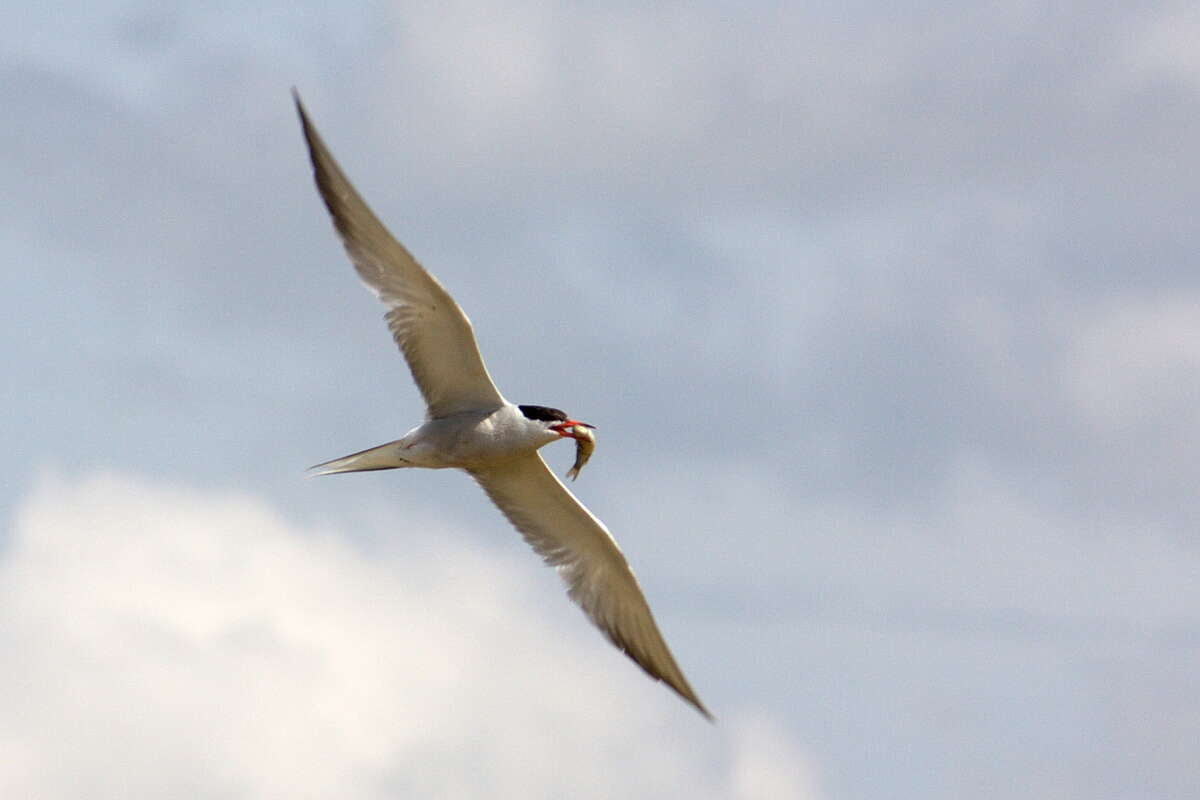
430,328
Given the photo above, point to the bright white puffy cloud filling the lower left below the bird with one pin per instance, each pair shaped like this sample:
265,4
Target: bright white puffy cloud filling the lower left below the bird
163,642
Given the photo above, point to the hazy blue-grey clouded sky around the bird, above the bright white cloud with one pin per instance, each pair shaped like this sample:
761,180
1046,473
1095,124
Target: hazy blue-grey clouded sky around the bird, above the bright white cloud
885,317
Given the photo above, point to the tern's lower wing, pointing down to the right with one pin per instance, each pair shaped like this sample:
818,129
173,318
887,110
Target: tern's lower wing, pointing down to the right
569,538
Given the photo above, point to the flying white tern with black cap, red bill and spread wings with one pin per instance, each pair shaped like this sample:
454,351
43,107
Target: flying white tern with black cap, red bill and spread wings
471,426
